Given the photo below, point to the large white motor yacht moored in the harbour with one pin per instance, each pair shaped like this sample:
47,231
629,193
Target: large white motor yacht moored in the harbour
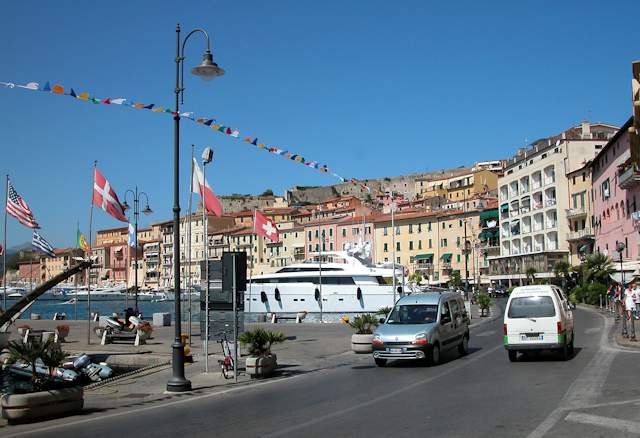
338,281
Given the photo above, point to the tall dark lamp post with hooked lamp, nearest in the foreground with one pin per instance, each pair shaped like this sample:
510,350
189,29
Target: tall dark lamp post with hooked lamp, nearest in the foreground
207,70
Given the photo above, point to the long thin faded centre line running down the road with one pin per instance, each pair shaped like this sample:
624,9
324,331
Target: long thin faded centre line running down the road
462,363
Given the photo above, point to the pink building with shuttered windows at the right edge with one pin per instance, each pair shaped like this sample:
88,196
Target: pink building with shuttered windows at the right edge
616,191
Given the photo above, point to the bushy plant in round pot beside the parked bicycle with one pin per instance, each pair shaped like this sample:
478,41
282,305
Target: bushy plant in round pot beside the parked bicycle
261,361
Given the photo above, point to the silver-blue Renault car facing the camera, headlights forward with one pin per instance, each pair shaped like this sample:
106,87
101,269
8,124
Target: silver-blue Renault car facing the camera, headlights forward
421,326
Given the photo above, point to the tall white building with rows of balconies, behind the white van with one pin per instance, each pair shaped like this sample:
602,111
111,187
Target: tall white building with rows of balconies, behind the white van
534,195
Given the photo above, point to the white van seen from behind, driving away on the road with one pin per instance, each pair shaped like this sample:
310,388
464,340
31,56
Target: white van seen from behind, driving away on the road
538,318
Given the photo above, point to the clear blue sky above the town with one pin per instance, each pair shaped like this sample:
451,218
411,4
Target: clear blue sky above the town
371,88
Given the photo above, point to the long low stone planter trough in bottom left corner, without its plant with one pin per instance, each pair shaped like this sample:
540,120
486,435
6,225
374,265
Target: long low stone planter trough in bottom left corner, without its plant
18,408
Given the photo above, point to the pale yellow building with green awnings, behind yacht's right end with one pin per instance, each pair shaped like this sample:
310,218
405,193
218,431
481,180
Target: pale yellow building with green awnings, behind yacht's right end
431,243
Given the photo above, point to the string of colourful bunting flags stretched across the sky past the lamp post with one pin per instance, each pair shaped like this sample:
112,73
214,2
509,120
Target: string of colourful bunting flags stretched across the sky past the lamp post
211,123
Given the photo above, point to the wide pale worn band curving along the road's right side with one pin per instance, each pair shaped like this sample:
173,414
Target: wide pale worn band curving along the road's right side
587,387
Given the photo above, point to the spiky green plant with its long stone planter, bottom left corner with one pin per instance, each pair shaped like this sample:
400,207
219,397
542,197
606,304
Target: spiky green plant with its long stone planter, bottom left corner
48,398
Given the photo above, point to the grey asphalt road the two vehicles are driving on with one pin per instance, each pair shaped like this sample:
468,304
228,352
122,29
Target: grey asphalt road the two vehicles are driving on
482,394
